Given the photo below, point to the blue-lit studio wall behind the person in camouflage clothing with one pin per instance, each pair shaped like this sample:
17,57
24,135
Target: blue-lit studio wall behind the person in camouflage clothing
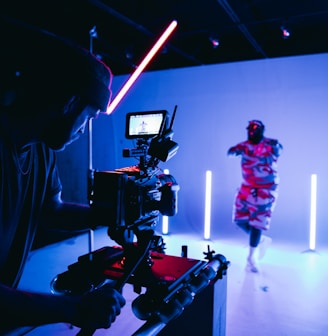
290,95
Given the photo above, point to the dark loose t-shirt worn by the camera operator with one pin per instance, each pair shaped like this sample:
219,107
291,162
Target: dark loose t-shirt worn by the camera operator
28,179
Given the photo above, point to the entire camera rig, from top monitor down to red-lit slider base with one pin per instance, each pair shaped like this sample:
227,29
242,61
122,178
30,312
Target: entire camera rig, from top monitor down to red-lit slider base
132,199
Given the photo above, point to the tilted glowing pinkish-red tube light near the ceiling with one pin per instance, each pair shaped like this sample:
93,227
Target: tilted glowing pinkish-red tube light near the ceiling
141,67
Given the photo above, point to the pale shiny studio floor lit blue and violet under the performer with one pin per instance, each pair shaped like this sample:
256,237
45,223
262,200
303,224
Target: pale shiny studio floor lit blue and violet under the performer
287,297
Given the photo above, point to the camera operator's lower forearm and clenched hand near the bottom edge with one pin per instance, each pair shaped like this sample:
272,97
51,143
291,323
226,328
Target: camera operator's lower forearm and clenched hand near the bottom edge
97,309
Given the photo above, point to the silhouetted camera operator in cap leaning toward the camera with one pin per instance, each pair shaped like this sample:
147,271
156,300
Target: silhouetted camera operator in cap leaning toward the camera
48,92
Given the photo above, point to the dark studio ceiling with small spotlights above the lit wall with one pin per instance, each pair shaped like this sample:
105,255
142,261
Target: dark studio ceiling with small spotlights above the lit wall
208,31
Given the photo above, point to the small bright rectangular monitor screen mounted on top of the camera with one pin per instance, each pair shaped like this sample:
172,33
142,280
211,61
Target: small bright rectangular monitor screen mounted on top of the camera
144,125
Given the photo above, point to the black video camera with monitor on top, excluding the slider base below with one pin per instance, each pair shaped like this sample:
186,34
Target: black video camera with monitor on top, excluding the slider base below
132,198
